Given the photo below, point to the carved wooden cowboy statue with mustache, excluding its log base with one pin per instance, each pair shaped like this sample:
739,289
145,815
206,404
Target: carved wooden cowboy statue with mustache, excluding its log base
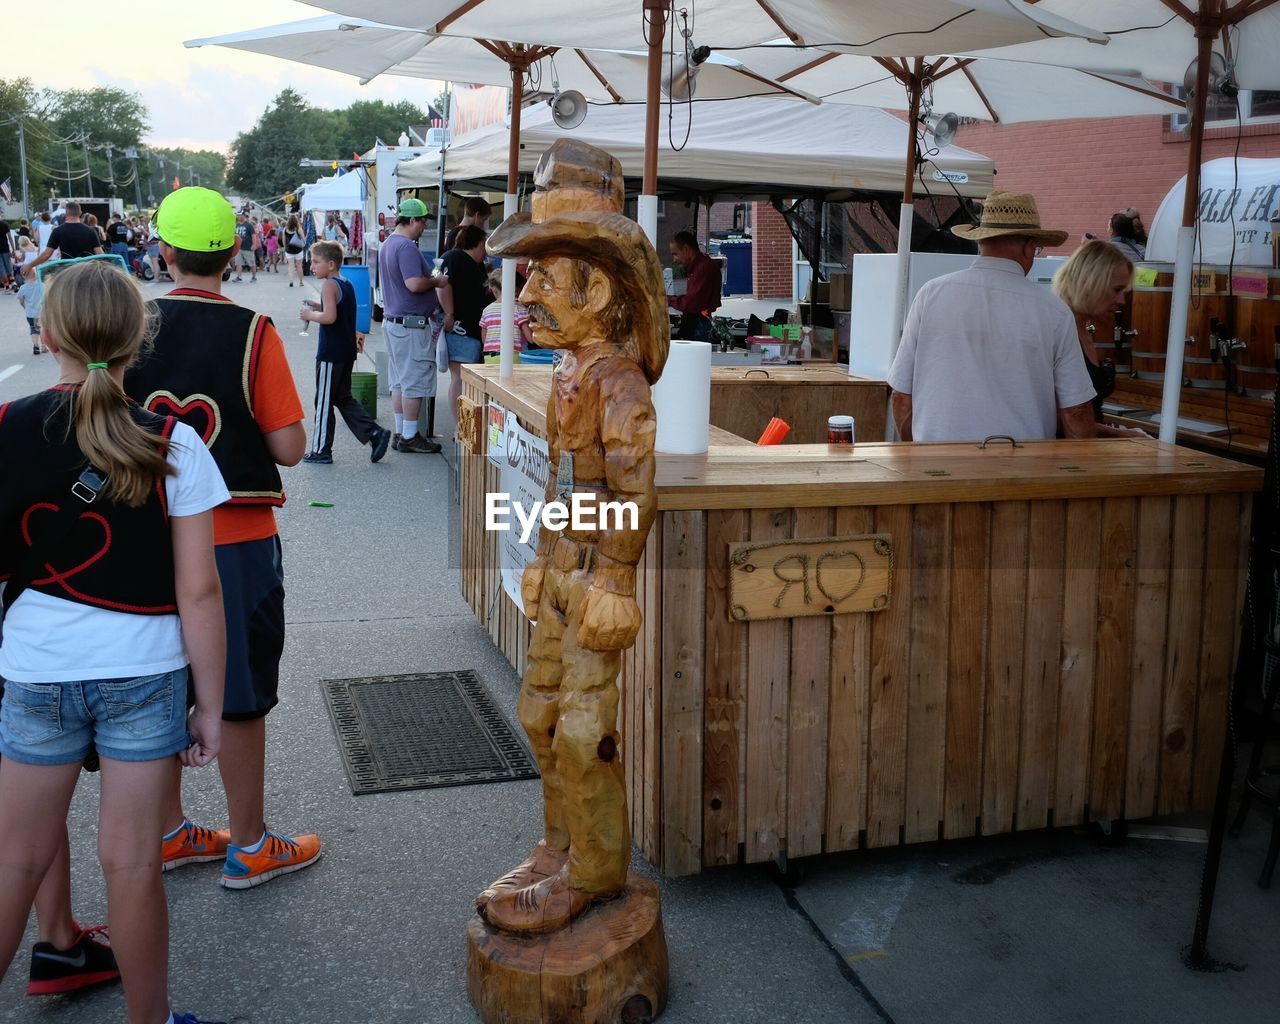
596,295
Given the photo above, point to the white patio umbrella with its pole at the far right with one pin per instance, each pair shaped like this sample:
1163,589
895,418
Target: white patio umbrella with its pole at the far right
1162,39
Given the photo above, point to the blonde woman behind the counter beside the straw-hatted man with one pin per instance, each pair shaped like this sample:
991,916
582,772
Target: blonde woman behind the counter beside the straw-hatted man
1094,284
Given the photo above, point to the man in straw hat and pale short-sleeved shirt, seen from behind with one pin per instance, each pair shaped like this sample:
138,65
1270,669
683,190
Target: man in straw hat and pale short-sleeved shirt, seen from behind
985,351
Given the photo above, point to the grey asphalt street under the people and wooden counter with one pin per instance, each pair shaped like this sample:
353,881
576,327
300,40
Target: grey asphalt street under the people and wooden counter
1045,927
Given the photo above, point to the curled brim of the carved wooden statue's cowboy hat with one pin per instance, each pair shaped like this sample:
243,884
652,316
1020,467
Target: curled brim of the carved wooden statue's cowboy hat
612,244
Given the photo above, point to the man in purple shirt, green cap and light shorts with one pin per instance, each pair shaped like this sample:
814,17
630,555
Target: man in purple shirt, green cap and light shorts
412,298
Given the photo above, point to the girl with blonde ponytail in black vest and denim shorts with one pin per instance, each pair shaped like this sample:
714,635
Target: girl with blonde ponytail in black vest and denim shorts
112,610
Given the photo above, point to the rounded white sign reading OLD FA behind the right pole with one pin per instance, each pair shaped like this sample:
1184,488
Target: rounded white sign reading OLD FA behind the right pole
1237,216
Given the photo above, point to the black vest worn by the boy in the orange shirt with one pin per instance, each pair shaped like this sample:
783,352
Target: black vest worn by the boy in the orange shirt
202,369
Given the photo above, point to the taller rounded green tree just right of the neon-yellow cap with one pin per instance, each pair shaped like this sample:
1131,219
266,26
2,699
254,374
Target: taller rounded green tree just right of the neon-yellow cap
264,161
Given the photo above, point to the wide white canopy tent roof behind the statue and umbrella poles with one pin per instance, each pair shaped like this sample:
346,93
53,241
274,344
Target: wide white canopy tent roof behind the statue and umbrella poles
743,148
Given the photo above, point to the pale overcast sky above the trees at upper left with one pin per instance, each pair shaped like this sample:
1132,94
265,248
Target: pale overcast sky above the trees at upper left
200,99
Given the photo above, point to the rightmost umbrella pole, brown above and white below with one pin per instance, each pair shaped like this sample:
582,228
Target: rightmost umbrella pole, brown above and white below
1205,33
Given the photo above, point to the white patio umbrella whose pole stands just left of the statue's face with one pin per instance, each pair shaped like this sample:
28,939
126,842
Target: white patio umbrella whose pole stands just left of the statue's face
367,49
